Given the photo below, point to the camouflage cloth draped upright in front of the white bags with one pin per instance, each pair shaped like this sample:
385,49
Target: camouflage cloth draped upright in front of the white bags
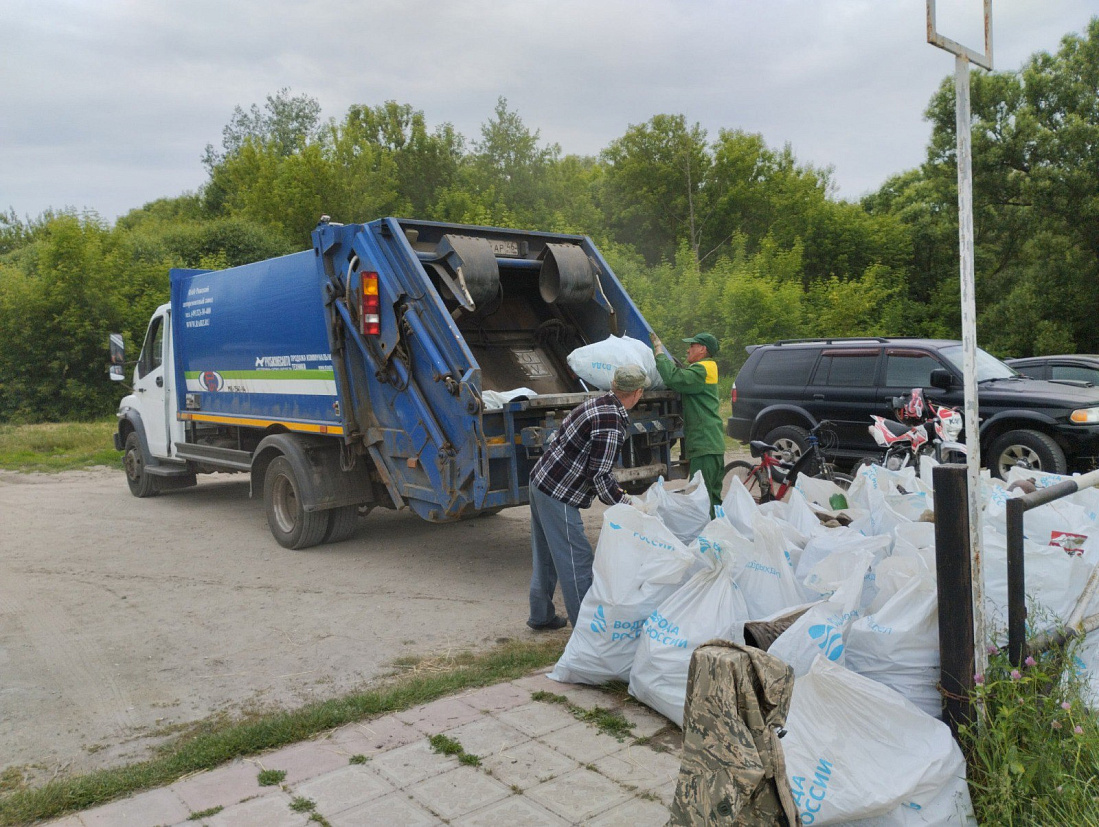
734,772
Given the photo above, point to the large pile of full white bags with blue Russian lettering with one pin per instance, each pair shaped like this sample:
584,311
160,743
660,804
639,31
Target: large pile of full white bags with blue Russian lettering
864,744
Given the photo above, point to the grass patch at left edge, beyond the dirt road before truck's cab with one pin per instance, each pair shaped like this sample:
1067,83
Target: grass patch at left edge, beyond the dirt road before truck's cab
59,446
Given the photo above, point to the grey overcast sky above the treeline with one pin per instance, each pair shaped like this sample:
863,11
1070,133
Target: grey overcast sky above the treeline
107,105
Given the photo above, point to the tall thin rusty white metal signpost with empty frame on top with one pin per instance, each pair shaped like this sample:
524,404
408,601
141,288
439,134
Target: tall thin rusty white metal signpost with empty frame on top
963,59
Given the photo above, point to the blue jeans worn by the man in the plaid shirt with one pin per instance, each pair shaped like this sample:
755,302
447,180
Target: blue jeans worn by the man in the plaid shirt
561,554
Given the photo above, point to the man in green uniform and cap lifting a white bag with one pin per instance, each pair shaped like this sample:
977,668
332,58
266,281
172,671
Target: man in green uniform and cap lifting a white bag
703,428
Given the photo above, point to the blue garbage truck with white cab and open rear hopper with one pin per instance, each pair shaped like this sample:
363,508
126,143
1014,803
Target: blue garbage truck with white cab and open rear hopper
370,371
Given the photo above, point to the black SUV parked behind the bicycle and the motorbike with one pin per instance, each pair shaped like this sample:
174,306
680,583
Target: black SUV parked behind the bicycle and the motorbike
786,388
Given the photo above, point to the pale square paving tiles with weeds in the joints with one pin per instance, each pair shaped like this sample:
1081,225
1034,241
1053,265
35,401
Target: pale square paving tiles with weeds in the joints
539,765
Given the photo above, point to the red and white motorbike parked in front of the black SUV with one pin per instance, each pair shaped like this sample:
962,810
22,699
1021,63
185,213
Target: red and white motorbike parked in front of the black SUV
923,429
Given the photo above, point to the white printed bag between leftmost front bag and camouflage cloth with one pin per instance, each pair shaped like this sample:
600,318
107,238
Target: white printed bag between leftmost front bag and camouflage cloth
709,606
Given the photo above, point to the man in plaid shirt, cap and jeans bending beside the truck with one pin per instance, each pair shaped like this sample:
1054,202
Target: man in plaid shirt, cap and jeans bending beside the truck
575,468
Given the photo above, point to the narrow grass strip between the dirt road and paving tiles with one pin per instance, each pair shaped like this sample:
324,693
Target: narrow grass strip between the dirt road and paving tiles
213,743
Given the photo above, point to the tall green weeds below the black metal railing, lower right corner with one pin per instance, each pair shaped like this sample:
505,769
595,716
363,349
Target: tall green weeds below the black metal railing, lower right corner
1036,759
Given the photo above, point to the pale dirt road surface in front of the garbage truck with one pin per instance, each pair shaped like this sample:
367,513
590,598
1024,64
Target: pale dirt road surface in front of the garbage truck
121,619
